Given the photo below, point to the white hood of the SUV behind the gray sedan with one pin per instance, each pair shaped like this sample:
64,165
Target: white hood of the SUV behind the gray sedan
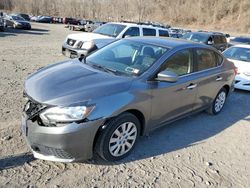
87,36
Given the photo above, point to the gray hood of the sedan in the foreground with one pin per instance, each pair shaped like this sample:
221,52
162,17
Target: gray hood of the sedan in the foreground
72,82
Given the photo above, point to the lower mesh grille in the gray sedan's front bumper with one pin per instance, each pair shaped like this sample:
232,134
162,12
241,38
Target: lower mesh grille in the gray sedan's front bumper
45,150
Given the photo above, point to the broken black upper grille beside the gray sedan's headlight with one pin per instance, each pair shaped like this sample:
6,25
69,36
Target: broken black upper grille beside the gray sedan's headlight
32,108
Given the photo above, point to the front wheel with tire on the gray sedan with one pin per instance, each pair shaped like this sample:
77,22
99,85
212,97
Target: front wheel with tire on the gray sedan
113,142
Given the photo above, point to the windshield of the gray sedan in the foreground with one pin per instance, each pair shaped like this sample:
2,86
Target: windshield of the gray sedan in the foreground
126,57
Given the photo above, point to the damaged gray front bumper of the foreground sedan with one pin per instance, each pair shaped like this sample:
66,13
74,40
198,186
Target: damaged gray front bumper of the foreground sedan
72,142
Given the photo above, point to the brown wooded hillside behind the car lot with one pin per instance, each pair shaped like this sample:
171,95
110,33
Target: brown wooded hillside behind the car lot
230,15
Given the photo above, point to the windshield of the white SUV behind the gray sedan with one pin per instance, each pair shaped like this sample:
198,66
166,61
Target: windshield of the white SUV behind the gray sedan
112,30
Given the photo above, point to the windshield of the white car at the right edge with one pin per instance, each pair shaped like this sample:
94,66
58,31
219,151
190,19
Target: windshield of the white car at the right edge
238,53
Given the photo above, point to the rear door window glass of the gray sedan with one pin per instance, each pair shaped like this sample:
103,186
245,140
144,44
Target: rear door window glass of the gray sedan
205,59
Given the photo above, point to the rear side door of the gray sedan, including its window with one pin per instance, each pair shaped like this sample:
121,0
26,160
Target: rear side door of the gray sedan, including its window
209,76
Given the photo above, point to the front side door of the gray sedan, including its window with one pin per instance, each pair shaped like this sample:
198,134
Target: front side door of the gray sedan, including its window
170,100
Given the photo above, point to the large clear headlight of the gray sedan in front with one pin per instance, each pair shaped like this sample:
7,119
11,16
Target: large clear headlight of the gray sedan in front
65,114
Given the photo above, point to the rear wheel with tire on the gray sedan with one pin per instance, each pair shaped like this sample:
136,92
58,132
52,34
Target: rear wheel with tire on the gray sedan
218,102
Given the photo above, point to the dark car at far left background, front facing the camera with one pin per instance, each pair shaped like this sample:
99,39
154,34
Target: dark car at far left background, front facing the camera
16,22
